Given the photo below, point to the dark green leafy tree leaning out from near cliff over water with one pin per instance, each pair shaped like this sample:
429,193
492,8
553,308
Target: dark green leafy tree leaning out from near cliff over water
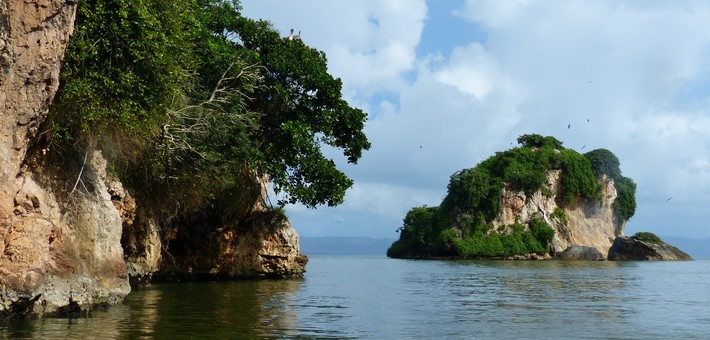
303,110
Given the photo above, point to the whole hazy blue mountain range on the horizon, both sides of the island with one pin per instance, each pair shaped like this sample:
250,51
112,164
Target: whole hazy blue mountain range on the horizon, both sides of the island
697,248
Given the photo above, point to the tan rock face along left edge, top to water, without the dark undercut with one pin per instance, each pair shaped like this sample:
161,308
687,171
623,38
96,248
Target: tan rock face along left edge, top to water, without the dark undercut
61,248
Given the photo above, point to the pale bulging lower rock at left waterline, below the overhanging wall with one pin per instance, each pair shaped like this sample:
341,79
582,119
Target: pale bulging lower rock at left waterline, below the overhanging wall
61,252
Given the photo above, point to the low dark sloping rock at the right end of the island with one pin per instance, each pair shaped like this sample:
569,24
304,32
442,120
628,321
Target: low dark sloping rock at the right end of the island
627,248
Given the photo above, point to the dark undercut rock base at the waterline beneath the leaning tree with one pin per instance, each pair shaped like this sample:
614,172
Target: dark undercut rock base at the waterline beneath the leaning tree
252,242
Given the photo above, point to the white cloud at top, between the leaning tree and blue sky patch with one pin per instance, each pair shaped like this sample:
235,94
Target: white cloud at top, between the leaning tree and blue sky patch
369,43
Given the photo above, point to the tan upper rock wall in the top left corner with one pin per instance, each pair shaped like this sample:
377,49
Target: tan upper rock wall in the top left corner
33,37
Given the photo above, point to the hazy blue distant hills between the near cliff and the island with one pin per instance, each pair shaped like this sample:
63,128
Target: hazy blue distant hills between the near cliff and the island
345,245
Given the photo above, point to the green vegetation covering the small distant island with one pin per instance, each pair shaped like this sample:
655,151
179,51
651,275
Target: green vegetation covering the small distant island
461,226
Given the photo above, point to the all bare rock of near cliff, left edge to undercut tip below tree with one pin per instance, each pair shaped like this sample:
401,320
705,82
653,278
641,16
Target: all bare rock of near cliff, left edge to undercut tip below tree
64,221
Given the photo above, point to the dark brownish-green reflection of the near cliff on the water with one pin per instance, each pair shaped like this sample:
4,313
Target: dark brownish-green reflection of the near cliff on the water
241,309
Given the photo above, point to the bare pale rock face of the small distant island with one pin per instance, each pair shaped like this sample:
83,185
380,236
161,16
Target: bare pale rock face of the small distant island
588,223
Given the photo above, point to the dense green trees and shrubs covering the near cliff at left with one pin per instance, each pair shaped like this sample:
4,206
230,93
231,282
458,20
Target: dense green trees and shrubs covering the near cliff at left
189,98
